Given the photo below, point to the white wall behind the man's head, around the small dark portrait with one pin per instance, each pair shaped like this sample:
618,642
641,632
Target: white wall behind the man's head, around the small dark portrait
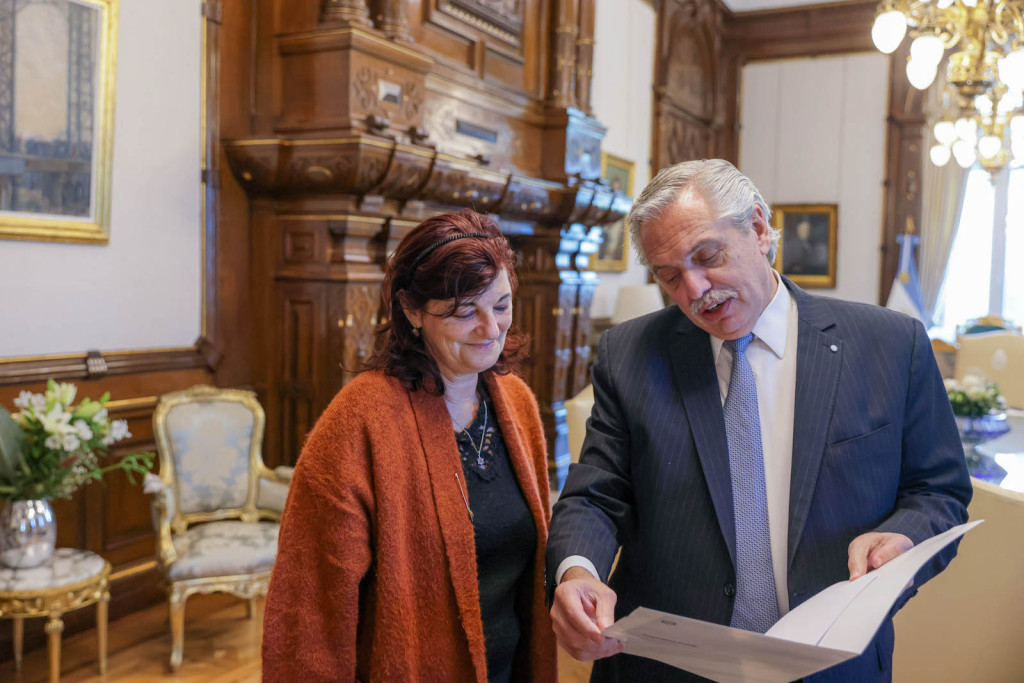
814,132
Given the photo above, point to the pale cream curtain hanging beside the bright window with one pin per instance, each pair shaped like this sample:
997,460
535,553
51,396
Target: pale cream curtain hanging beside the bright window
943,200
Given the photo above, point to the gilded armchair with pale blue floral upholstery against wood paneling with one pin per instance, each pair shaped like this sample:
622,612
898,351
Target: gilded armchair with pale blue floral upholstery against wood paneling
217,506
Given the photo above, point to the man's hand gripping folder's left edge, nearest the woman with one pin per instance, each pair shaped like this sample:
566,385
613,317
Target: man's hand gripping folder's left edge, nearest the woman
582,609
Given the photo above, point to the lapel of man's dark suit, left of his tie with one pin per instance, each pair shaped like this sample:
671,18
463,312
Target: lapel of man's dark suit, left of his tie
694,364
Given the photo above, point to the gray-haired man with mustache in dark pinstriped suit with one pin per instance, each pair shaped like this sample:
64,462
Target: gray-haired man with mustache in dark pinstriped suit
750,448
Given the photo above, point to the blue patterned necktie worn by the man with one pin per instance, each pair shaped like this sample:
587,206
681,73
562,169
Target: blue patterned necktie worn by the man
756,607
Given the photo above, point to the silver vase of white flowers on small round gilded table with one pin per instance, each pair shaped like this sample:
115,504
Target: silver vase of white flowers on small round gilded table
49,450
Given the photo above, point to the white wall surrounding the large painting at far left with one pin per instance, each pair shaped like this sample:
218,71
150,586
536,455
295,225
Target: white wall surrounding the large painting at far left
143,290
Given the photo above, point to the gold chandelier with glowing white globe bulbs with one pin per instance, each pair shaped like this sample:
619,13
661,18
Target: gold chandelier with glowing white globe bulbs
984,116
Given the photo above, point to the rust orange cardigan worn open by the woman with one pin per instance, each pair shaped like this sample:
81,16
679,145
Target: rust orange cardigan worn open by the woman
376,572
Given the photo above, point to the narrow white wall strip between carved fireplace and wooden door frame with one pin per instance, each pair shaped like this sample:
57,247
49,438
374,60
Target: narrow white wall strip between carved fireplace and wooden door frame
624,72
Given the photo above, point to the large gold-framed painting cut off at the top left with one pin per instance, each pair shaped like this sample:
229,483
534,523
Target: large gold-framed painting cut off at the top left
58,68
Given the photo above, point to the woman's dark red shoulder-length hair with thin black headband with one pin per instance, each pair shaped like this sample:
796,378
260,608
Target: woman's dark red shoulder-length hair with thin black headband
419,272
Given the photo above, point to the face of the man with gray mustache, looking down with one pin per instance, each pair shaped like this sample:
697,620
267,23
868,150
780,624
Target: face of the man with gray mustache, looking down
717,274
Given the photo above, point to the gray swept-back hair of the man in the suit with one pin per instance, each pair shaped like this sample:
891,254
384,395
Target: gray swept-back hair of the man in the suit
729,193
